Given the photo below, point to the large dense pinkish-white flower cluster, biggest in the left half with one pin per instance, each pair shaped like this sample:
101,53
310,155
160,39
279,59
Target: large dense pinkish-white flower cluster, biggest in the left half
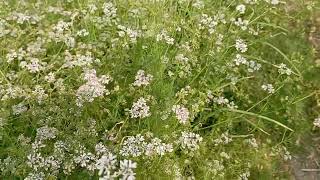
93,88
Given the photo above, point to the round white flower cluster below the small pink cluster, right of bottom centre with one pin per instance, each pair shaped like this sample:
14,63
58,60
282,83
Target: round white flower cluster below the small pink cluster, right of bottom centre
190,141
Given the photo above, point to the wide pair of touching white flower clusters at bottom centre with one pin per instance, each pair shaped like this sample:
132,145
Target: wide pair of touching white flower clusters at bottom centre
137,145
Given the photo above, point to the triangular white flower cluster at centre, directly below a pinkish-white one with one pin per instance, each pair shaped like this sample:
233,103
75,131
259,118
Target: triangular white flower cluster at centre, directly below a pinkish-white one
140,109
